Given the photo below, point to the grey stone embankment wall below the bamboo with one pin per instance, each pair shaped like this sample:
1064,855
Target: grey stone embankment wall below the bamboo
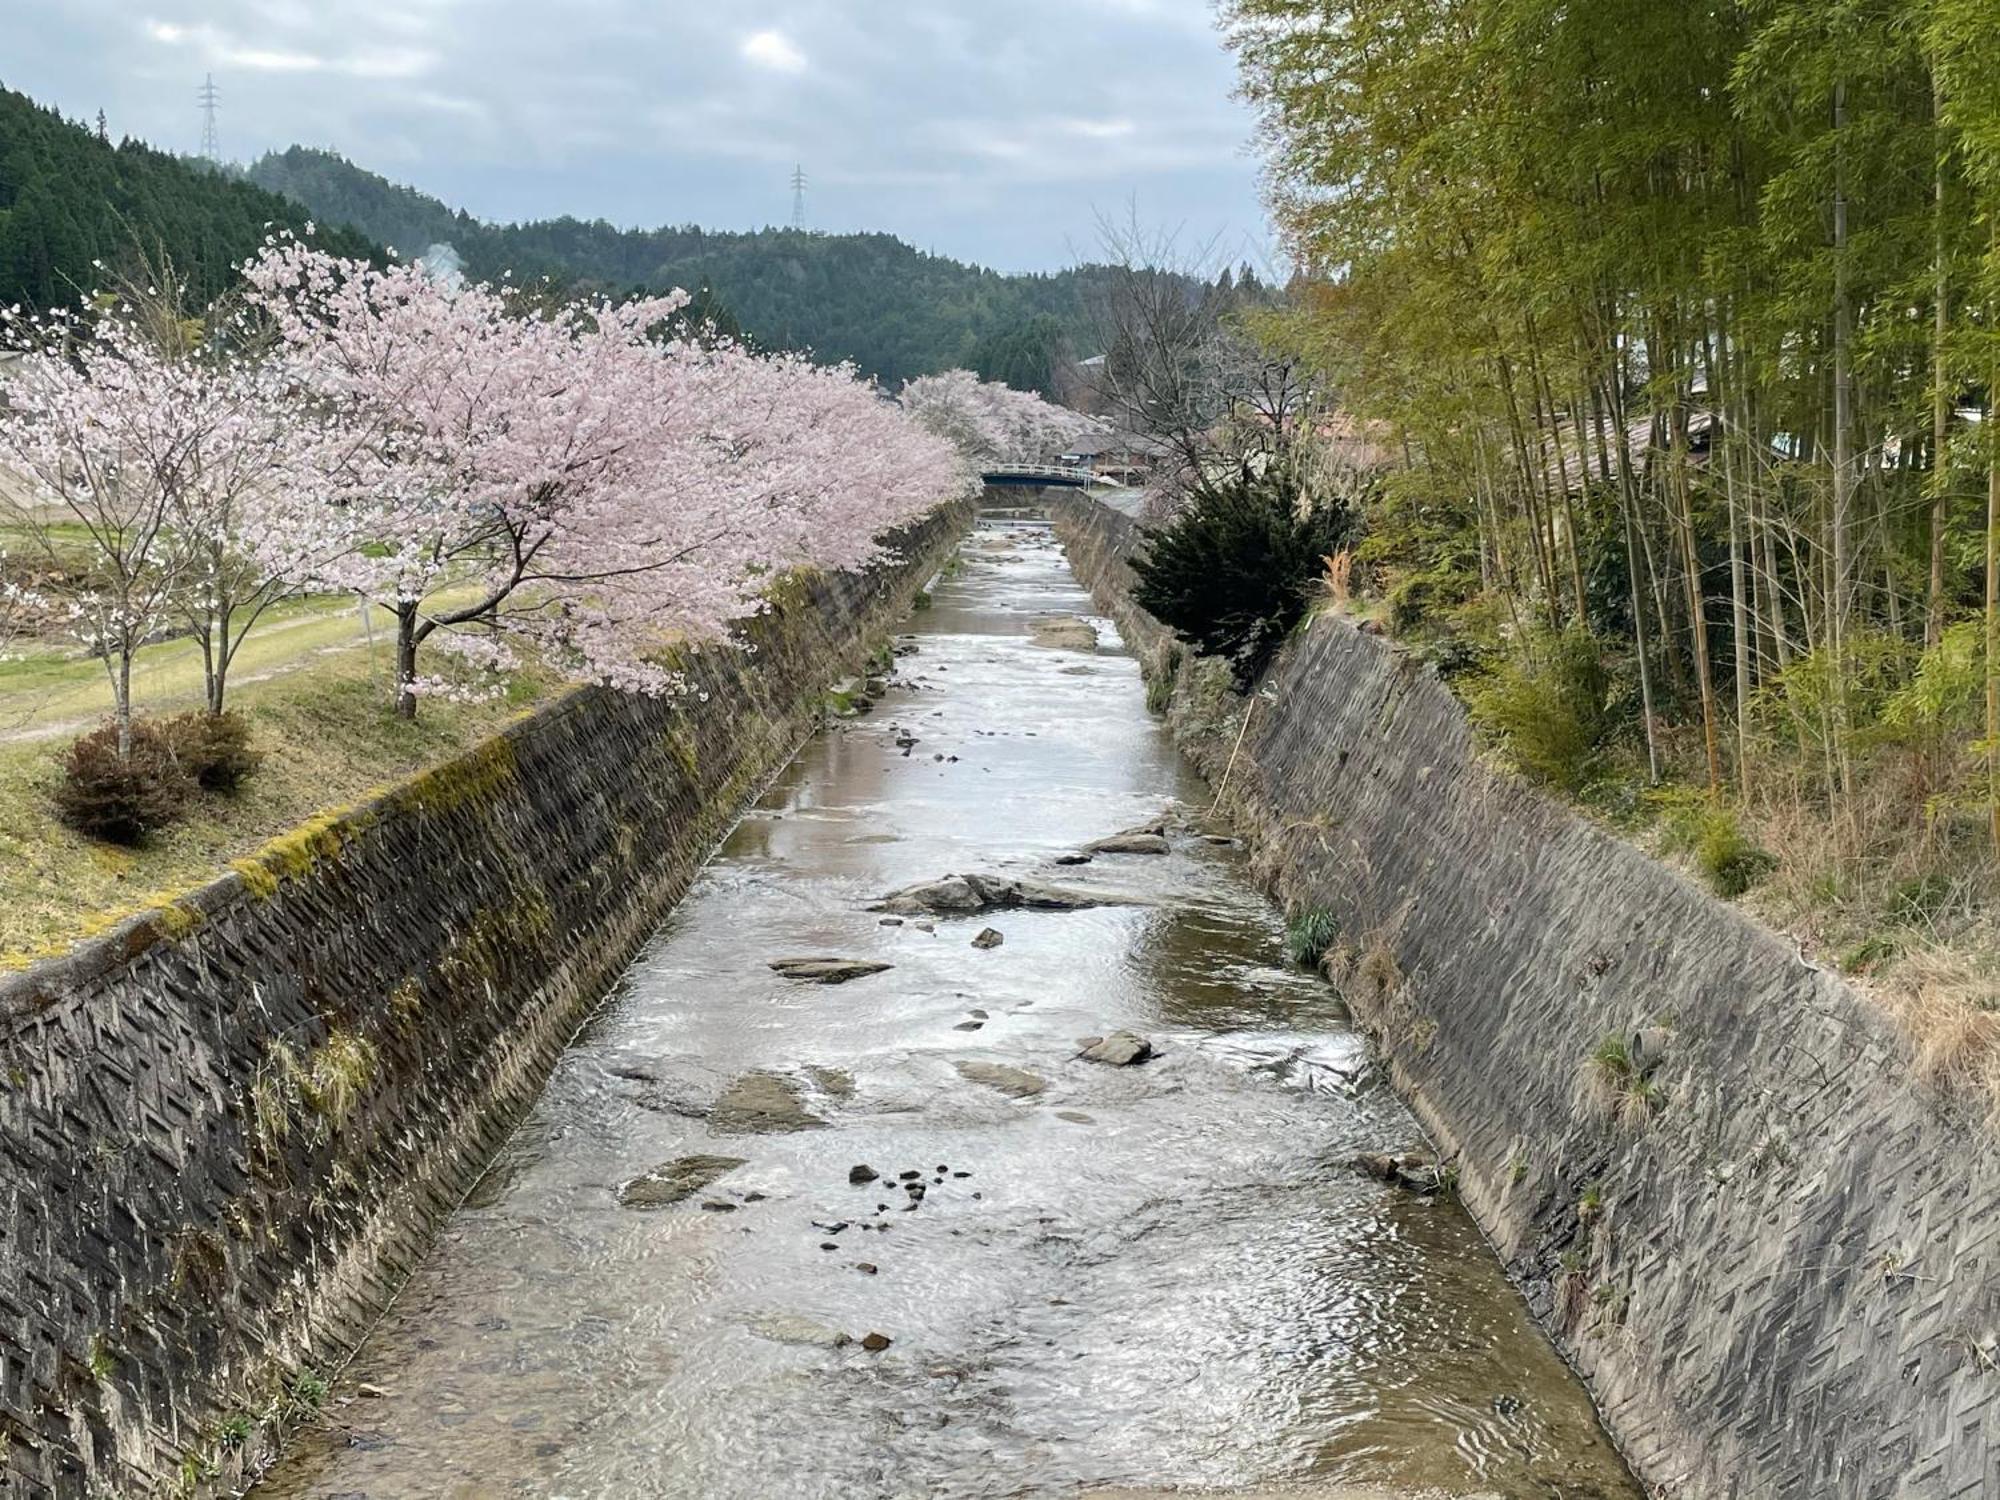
1781,1269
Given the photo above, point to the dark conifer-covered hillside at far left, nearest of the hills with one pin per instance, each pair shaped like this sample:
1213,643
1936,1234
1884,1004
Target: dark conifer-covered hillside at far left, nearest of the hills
69,197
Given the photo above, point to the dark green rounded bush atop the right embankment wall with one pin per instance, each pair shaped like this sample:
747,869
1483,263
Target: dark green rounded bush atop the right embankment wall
1235,569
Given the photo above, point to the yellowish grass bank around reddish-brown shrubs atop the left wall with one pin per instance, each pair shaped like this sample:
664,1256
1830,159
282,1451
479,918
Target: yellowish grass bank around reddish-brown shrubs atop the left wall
329,739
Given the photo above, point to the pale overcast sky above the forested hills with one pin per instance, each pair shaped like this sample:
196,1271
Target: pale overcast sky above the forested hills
983,129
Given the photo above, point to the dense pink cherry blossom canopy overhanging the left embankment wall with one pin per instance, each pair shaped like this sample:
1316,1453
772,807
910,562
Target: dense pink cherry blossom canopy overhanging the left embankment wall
577,477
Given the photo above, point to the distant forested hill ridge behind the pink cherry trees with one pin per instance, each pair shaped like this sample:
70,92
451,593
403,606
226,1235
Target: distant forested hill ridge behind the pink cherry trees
871,299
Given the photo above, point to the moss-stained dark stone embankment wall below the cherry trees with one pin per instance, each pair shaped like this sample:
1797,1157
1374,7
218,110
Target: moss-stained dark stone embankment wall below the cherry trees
231,1127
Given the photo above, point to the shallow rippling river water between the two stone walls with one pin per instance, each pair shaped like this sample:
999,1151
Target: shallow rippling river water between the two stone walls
1157,1277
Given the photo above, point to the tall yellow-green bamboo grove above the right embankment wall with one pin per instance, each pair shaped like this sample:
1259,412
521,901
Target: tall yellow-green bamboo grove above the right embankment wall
1685,319
